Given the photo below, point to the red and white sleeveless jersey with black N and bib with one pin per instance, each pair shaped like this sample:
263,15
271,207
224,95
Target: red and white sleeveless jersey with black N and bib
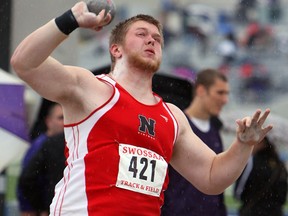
117,158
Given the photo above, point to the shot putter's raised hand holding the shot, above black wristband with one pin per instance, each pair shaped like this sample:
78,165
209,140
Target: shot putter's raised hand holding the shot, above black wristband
88,19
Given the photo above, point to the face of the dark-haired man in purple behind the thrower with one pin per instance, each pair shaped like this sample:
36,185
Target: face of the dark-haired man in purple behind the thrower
216,97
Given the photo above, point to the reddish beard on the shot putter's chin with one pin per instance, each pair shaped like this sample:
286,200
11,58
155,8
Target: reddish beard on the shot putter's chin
144,64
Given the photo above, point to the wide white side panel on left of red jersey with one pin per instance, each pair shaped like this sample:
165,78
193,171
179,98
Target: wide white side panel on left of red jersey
73,180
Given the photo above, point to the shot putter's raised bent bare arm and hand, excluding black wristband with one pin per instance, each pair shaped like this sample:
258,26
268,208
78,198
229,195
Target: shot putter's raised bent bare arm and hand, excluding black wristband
32,61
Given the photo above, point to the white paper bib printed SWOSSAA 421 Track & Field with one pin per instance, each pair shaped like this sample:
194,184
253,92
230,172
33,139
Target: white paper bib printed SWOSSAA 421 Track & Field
141,170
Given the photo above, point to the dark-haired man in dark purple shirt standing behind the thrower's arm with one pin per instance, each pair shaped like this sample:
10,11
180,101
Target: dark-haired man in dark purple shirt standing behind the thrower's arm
211,91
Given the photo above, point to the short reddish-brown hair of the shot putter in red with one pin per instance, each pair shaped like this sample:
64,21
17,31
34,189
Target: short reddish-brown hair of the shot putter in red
120,30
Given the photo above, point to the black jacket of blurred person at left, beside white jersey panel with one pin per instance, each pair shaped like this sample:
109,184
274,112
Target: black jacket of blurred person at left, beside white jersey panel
49,162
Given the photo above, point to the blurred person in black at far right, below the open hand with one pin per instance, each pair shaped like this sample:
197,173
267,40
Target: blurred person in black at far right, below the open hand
262,187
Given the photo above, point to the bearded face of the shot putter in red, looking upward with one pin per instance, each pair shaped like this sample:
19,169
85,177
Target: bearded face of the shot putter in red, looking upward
142,46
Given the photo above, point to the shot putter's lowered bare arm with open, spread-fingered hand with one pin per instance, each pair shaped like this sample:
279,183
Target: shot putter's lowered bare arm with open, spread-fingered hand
209,172
